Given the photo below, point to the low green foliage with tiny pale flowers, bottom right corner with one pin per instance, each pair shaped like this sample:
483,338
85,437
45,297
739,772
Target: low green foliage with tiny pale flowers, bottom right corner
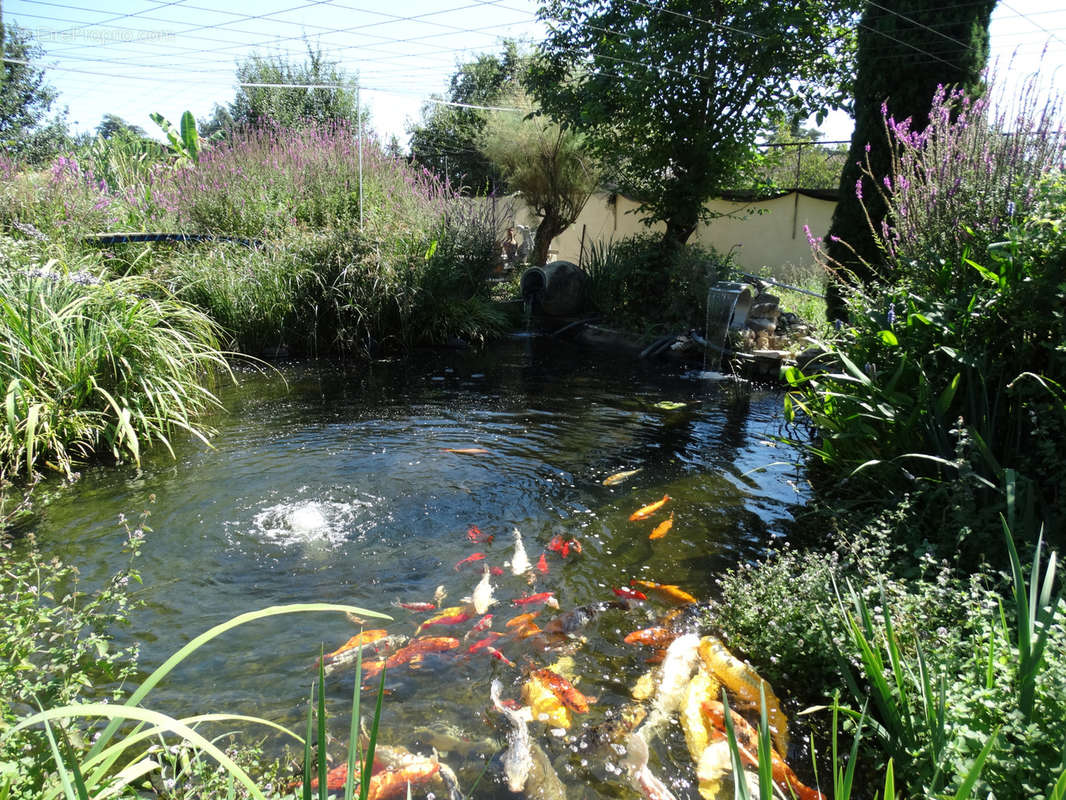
938,657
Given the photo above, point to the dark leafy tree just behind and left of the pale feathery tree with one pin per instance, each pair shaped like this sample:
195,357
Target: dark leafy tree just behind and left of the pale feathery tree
446,142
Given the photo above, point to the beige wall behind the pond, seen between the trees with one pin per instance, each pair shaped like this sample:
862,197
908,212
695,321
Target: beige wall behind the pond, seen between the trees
769,233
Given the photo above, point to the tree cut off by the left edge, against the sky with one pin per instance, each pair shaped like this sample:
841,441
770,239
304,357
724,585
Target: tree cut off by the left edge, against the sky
26,100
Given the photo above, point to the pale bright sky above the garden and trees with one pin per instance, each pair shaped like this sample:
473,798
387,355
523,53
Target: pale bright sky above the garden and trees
132,58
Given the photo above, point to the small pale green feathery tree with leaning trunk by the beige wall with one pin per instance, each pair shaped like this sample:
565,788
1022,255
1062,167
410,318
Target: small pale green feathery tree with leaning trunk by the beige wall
545,163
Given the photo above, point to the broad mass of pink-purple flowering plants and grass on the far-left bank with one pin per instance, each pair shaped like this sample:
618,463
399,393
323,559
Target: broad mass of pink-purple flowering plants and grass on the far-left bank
407,266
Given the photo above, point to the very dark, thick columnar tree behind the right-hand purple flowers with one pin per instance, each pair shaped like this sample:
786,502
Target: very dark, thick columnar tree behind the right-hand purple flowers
906,50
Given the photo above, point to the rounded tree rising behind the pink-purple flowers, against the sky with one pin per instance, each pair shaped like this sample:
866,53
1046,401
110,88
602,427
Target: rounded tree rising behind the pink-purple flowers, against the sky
256,106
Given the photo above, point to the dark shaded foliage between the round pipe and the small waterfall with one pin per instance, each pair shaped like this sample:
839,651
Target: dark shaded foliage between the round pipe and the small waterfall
623,276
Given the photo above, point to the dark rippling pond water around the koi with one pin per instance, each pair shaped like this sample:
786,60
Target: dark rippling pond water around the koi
335,485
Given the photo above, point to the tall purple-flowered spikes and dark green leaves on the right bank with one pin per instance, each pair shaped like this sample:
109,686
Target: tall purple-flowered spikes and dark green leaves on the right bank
952,372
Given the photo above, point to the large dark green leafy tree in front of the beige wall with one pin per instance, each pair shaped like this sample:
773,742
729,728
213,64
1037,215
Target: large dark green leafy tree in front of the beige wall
675,95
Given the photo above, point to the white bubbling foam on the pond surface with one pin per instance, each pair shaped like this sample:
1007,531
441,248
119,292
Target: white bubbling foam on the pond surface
306,522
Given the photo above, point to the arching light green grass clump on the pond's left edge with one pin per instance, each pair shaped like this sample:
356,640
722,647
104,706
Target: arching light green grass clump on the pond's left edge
90,366
